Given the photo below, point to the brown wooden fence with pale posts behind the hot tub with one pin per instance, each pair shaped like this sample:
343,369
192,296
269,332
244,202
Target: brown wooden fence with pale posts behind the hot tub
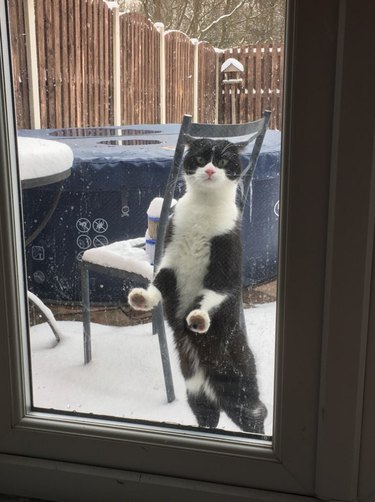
77,63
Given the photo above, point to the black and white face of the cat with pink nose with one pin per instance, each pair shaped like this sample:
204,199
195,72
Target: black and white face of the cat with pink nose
212,163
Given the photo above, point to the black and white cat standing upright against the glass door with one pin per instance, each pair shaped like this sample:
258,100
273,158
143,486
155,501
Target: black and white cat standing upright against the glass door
199,280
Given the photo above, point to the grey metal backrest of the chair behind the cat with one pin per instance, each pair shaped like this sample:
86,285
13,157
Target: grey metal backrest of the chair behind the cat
238,133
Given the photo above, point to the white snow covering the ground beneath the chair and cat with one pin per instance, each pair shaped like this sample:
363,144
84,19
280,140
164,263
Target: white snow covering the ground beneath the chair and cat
124,378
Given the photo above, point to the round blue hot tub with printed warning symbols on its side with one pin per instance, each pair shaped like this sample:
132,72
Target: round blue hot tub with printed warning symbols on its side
115,175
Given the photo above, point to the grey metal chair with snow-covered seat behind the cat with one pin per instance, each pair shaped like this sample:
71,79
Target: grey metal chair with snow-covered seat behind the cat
130,250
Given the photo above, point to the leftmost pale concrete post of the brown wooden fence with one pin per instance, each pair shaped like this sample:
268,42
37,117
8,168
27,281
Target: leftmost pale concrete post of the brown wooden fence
32,64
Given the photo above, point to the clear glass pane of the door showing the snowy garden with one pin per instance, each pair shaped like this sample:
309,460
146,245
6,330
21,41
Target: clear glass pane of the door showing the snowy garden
100,92
